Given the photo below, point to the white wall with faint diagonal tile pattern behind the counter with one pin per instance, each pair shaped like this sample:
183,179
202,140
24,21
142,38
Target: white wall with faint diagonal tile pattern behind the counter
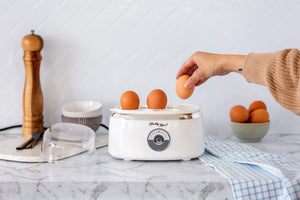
95,50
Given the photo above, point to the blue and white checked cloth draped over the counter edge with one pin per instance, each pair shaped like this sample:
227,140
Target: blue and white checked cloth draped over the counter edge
253,174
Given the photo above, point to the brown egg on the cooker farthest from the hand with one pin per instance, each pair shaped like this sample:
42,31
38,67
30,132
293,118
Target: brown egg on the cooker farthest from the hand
130,100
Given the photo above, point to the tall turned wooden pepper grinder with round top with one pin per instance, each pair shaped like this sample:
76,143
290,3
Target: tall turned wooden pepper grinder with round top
32,97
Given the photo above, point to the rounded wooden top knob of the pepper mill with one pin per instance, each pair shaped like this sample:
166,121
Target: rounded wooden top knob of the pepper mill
32,42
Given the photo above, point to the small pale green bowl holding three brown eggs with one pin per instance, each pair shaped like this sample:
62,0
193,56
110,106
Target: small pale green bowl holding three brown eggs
250,132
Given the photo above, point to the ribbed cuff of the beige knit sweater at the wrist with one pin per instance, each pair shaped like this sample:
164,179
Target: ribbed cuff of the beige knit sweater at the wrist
255,67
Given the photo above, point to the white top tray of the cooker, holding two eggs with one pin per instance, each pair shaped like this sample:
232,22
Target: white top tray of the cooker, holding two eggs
171,109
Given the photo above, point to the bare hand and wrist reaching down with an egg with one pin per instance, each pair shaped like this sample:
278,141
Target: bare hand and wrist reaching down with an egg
201,66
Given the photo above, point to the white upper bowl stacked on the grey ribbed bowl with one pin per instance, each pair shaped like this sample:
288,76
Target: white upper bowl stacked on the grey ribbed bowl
82,109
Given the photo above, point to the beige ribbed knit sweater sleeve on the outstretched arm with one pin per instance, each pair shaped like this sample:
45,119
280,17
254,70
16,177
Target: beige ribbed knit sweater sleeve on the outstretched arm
280,72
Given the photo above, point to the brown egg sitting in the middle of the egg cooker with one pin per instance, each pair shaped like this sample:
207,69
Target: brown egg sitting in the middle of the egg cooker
157,99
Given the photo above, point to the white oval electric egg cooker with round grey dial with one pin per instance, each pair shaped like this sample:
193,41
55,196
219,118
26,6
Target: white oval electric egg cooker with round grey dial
174,133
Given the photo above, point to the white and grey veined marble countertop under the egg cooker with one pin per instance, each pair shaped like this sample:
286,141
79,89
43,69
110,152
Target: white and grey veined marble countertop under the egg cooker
117,179
